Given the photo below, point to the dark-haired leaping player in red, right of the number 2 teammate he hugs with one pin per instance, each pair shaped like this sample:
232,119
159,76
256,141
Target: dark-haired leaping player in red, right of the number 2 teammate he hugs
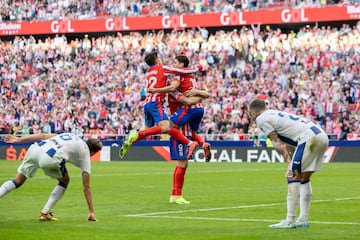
186,114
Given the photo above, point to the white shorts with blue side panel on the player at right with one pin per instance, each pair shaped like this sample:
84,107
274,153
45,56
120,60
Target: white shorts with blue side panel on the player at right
308,156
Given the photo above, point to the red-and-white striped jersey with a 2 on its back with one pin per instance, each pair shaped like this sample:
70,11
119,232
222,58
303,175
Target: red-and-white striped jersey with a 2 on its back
156,77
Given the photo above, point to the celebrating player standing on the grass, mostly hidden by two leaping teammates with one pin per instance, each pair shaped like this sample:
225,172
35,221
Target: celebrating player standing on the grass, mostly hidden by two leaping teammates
178,149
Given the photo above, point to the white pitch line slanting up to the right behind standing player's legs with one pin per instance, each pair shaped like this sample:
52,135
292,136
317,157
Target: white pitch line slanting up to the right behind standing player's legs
227,208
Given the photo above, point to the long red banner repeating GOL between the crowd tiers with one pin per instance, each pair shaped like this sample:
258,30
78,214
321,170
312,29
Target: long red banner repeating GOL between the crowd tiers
182,21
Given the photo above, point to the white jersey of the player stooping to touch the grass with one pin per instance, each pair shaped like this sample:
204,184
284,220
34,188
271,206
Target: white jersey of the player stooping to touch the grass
70,148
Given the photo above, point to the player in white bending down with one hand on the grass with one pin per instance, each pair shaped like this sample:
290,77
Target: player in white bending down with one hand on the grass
51,152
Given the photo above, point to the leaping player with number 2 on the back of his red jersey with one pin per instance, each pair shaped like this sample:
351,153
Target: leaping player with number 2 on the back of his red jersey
156,119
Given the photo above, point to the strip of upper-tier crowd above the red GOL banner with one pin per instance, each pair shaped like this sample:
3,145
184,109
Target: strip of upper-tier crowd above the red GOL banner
13,10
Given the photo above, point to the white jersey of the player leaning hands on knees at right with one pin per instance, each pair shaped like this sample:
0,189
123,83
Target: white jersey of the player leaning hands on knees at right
291,129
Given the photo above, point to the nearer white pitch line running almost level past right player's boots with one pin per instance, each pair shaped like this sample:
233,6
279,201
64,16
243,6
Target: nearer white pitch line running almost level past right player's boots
244,220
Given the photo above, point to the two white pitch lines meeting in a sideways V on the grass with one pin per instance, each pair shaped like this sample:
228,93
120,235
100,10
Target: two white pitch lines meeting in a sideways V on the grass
167,214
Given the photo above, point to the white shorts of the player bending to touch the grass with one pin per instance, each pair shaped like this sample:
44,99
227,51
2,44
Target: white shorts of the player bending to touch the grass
36,158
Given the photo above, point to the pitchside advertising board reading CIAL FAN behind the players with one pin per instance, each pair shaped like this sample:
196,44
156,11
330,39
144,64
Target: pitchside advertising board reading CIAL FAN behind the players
220,153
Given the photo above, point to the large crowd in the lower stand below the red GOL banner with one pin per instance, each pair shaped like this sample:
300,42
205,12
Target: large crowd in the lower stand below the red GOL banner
95,85
